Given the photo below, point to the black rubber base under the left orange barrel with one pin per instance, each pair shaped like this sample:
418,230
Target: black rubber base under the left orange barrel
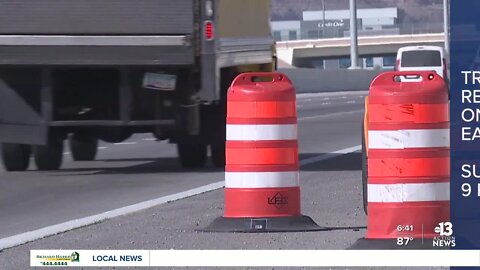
259,225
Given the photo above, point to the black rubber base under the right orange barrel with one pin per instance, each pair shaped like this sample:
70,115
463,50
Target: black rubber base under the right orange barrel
391,244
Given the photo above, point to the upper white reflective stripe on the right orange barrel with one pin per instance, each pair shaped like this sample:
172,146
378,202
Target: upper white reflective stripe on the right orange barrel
410,138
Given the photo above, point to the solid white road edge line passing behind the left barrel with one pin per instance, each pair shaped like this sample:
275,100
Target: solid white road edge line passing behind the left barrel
30,236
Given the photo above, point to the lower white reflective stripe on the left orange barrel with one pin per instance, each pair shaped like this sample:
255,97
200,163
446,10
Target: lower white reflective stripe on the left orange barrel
261,179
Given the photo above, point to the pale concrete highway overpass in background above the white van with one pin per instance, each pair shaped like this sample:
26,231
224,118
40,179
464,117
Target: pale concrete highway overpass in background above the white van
294,51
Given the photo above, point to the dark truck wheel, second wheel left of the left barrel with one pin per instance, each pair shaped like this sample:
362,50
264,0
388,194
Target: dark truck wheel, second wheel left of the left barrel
192,154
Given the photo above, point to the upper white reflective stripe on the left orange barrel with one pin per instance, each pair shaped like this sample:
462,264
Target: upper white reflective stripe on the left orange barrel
261,132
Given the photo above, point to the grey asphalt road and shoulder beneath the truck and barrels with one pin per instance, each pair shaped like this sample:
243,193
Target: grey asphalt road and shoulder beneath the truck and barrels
143,169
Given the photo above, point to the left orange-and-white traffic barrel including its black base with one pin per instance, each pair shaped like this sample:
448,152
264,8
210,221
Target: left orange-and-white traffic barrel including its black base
262,186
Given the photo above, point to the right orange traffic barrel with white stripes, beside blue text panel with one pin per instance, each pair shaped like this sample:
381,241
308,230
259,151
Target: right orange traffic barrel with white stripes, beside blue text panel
408,156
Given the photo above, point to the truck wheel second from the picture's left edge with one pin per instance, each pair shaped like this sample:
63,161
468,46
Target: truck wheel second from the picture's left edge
49,157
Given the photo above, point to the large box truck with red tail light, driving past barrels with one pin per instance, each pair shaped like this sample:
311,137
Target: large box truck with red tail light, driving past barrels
80,71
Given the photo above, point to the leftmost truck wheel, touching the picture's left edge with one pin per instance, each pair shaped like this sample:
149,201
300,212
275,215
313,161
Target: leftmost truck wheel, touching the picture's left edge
16,157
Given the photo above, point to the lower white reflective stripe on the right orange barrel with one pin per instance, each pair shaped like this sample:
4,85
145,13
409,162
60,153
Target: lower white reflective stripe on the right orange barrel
418,192
